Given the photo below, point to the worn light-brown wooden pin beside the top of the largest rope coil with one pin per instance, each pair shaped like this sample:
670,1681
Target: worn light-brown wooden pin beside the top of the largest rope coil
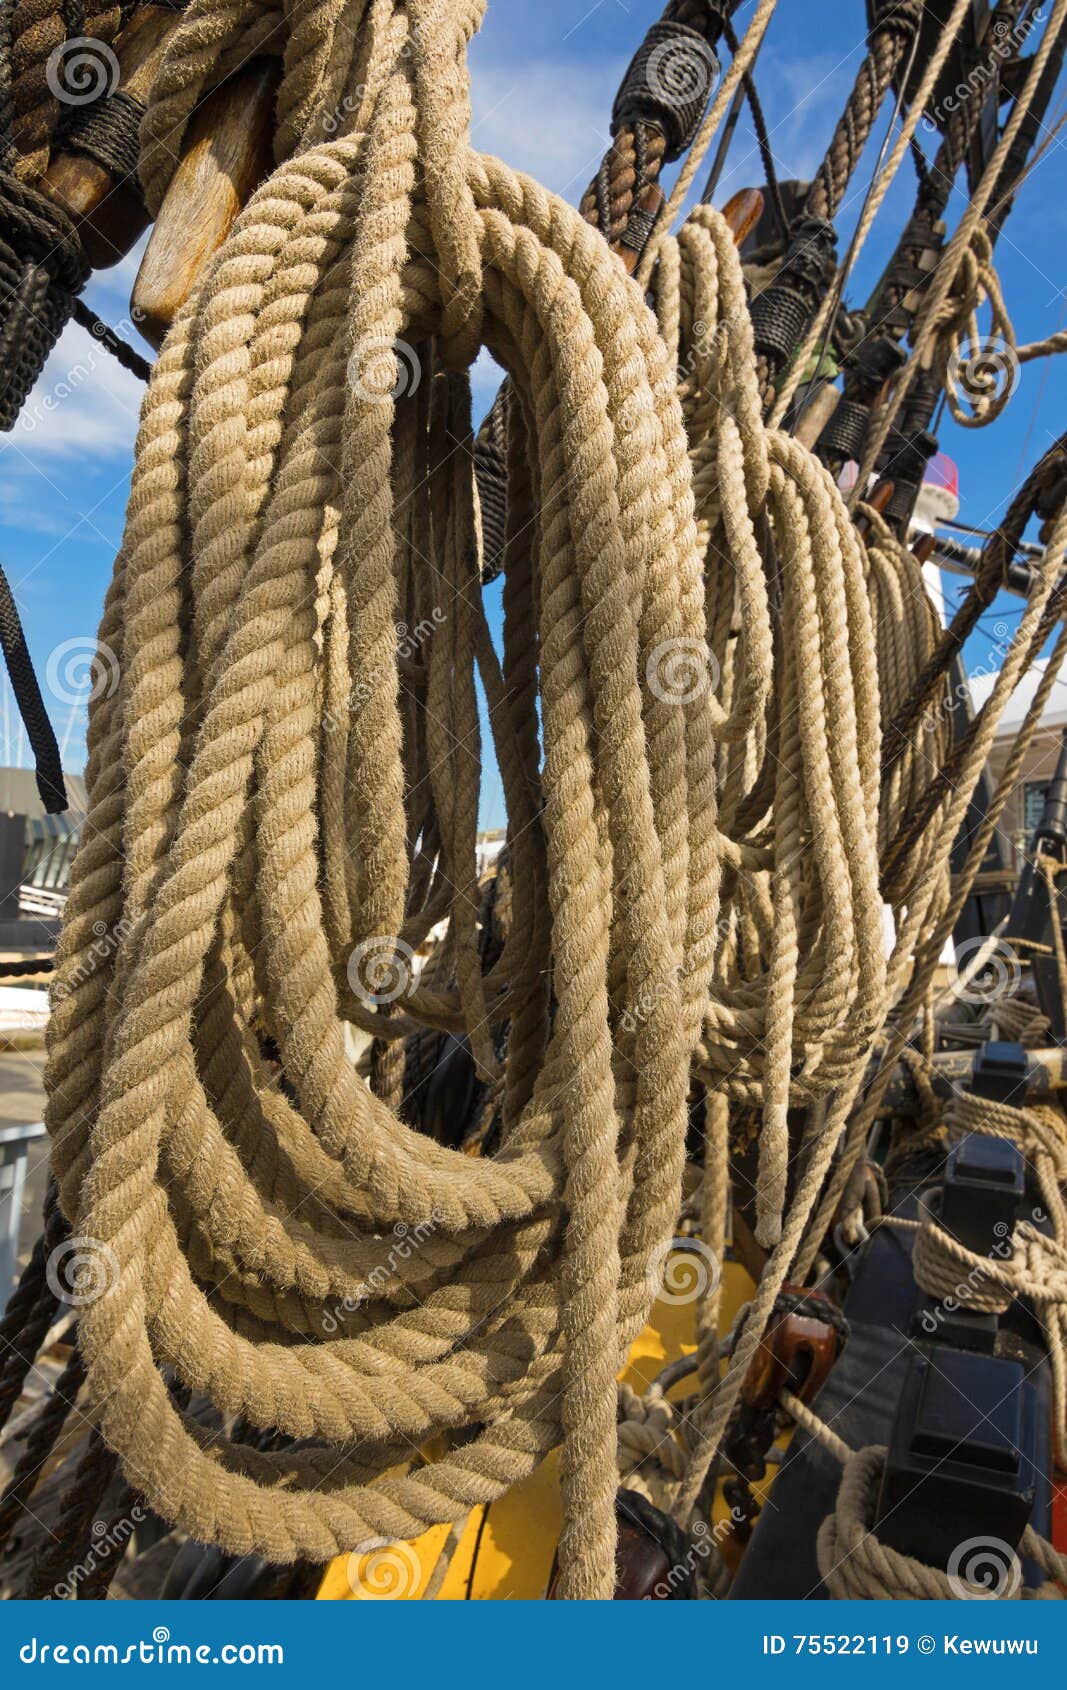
227,155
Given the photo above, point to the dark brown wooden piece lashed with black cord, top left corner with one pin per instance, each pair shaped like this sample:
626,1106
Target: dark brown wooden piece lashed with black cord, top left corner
104,205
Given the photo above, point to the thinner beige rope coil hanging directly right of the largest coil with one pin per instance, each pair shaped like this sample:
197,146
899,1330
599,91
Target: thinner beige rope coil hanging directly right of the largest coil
794,701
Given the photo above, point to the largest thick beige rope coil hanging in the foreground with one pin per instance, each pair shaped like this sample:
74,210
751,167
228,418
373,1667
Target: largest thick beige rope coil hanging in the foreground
280,802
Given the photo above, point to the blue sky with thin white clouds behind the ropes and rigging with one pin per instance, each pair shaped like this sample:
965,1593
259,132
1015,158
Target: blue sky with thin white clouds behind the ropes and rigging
544,85
